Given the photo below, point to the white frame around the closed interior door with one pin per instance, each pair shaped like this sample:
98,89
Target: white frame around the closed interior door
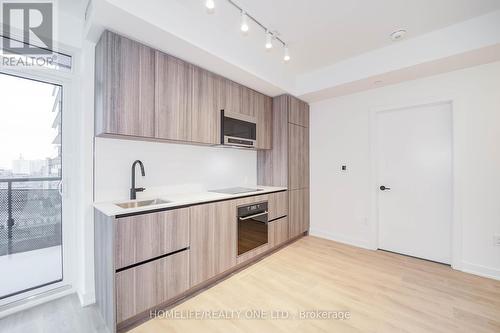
456,226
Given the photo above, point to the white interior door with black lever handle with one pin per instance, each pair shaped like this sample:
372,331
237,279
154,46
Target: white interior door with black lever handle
414,148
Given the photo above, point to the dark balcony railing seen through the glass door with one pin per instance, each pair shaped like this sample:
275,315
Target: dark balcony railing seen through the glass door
30,214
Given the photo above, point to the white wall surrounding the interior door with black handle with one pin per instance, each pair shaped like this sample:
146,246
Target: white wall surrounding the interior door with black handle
342,204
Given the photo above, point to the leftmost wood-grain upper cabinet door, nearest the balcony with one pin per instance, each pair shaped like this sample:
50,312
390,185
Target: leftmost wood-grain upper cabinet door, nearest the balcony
124,84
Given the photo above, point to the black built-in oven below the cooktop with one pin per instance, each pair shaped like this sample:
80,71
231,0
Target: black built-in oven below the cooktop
252,226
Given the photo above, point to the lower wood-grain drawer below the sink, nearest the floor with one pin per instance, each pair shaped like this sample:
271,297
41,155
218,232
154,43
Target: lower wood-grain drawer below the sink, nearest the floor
145,286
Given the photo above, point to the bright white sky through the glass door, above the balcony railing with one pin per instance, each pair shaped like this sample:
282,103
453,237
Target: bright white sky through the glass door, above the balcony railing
34,144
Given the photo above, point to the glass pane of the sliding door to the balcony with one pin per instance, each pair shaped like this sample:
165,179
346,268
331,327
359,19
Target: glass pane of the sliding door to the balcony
31,253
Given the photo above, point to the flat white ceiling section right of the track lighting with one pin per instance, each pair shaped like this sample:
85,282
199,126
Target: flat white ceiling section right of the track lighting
323,32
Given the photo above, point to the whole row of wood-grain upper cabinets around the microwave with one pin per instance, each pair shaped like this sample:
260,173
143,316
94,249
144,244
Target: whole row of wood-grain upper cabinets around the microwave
144,93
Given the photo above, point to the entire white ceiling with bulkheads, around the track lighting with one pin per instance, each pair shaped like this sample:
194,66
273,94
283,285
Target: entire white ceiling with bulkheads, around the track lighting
326,37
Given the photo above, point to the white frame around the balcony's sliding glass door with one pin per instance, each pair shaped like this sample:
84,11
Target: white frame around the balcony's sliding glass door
69,118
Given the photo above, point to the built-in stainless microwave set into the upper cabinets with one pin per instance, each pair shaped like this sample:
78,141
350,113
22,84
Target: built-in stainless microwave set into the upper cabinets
238,130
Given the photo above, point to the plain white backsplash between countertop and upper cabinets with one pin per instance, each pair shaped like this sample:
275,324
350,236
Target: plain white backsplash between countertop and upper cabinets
170,168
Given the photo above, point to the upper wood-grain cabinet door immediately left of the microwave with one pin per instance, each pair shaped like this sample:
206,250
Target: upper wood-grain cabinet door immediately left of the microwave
205,122
